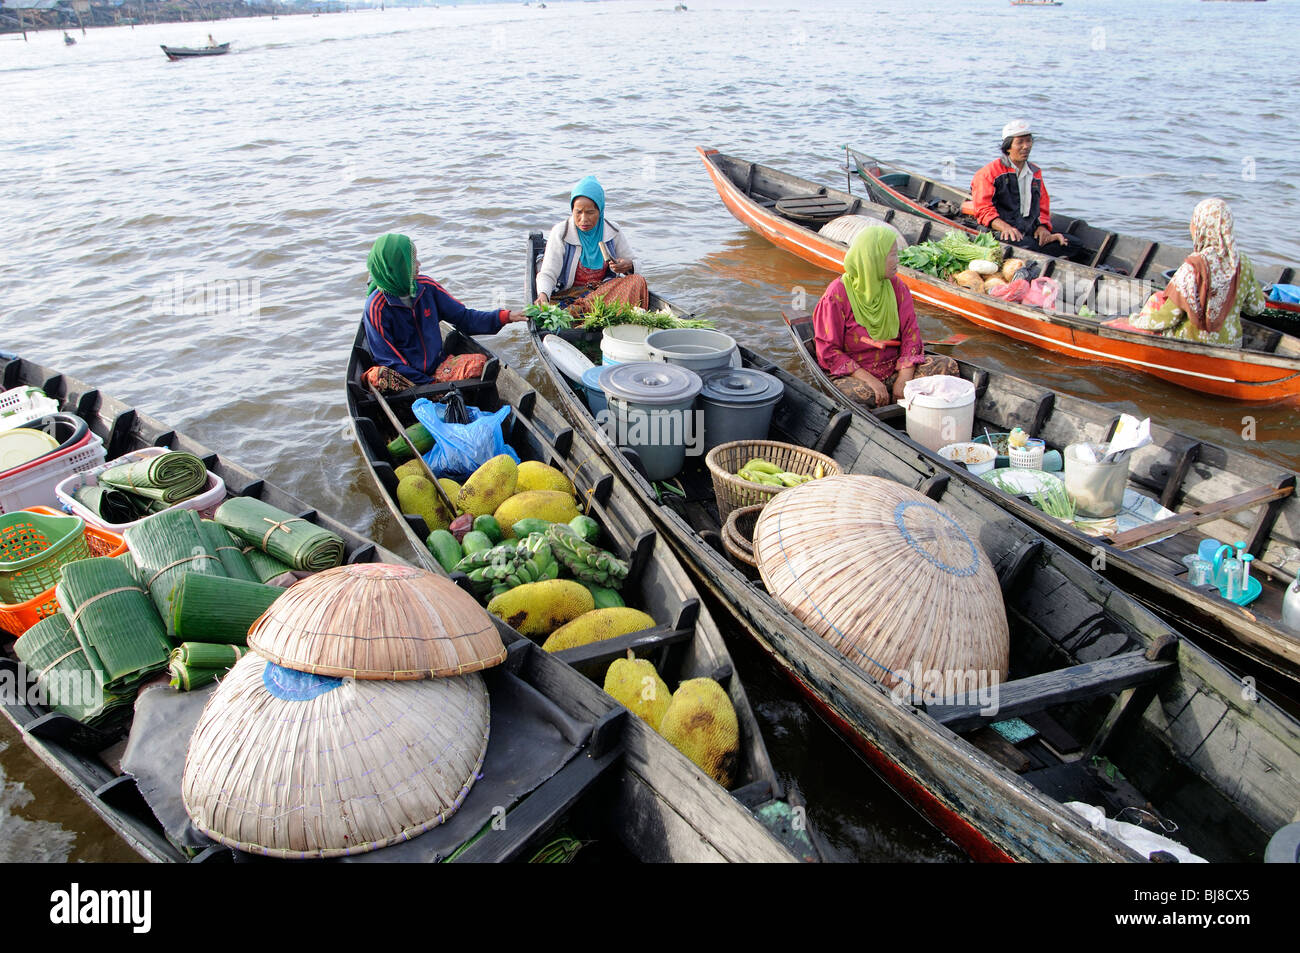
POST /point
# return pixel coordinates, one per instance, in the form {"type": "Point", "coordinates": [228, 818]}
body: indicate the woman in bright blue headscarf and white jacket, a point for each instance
{"type": "Point", "coordinates": [588, 257]}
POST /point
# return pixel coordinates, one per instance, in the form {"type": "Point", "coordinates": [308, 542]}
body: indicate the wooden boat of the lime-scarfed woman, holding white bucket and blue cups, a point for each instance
{"type": "Point", "coordinates": [1214, 492]}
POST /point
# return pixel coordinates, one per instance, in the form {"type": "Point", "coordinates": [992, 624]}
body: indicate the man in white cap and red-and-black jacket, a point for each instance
{"type": "Point", "coordinates": [1009, 196]}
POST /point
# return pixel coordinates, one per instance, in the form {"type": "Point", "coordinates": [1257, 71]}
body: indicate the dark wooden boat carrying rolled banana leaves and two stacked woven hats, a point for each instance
{"type": "Point", "coordinates": [635, 791]}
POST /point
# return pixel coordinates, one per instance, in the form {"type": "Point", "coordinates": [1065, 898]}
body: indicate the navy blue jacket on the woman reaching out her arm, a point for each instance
{"type": "Point", "coordinates": [408, 340]}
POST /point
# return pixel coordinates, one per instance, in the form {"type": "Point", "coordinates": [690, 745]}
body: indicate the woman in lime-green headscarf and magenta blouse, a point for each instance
{"type": "Point", "coordinates": [865, 326]}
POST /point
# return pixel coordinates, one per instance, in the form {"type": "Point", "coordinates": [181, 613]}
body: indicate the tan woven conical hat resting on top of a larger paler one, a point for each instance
{"type": "Point", "coordinates": [374, 621]}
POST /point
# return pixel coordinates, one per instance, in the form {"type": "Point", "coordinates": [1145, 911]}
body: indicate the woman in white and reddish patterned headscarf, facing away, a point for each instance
{"type": "Point", "coordinates": [1211, 291]}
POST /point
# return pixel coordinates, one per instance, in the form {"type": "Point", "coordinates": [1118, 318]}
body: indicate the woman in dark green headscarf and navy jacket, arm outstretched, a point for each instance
{"type": "Point", "coordinates": [404, 311]}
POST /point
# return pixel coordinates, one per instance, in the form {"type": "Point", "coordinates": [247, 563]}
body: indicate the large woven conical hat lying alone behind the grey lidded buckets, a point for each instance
{"type": "Point", "coordinates": [887, 577]}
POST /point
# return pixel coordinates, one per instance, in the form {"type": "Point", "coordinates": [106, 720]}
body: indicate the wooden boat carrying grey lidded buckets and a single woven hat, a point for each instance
{"type": "Point", "coordinates": [1173, 725]}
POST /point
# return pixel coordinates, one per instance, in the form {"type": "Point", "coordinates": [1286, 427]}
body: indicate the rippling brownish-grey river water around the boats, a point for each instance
{"type": "Point", "coordinates": [192, 237]}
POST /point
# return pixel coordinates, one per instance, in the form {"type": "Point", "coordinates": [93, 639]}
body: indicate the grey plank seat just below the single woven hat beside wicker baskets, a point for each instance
{"type": "Point", "coordinates": [1039, 692]}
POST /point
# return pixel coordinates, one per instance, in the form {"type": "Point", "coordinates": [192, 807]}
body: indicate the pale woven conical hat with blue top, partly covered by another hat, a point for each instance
{"type": "Point", "coordinates": [293, 765]}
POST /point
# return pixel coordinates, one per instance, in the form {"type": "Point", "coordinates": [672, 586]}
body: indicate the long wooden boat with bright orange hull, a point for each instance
{"type": "Point", "coordinates": [1266, 369]}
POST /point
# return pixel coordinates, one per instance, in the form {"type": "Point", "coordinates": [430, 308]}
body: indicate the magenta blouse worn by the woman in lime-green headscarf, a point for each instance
{"type": "Point", "coordinates": [843, 345]}
